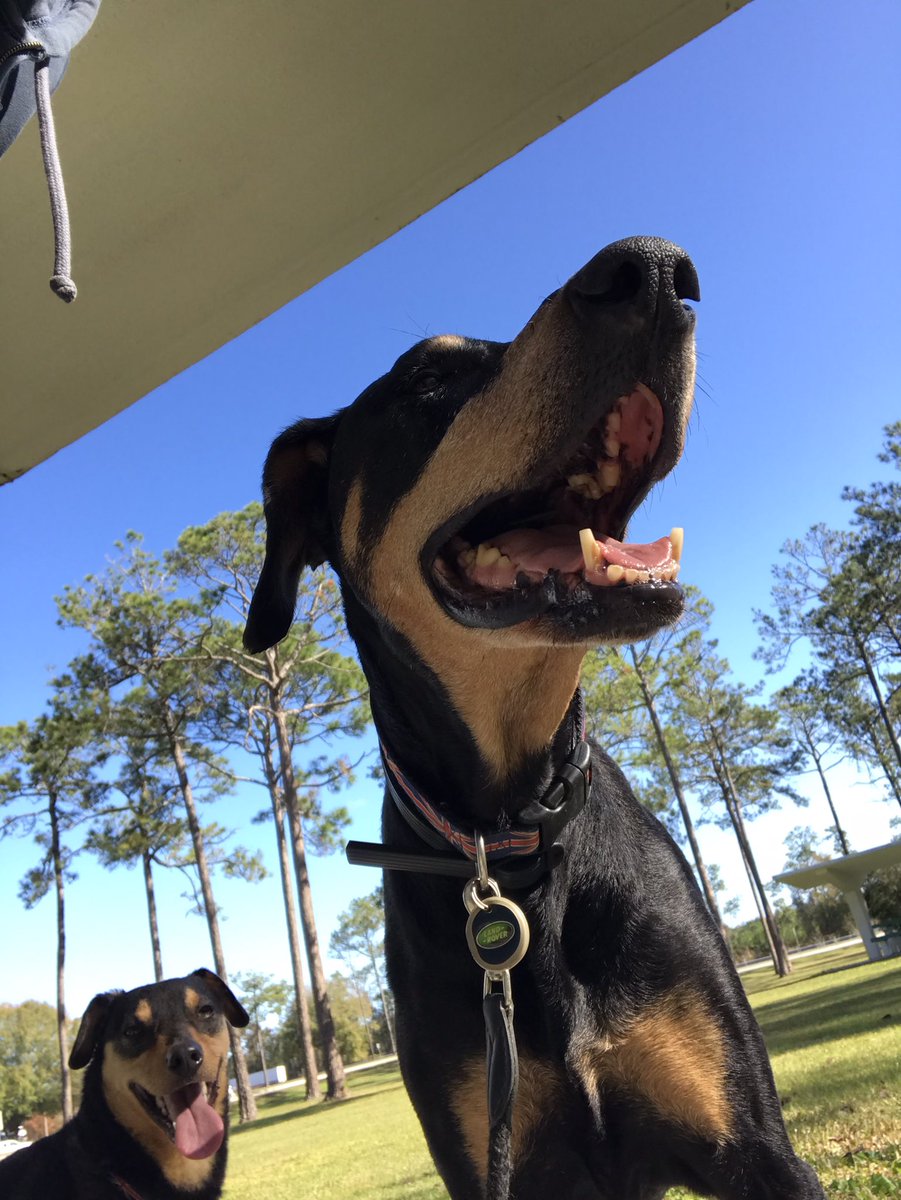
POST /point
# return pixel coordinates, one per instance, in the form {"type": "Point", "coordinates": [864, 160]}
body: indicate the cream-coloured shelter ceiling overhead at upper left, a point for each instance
{"type": "Point", "coordinates": [223, 158]}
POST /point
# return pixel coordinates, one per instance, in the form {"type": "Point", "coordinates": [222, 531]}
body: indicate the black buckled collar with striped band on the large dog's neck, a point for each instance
{"type": "Point", "coordinates": [519, 856]}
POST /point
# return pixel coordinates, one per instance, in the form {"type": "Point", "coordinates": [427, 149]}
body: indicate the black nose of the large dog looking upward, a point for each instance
{"type": "Point", "coordinates": [636, 280]}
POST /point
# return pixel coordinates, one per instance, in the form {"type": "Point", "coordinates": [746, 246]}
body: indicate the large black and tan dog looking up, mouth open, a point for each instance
{"type": "Point", "coordinates": [473, 503]}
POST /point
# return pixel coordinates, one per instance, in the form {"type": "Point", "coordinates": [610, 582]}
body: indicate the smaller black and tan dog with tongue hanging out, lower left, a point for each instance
{"type": "Point", "coordinates": [154, 1117]}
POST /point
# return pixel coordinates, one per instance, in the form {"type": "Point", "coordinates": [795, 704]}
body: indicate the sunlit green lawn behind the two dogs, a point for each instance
{"type": "Point", "coordinates": [834, 1034]}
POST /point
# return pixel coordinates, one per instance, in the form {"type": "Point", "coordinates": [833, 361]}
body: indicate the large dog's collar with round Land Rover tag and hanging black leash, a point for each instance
{"type": "Point", "coordinates": [497, 929]}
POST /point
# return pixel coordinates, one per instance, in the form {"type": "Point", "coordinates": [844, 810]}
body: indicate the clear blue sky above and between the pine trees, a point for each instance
{"type": "Point", "coordinates": [768, 149]}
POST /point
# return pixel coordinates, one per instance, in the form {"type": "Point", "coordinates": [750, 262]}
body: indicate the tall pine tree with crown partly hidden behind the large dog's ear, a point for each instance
{"type": "Point", "coordinates": [301, 694]}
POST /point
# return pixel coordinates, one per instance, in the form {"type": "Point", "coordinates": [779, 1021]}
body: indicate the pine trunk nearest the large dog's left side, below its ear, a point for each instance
{"type": "Point", "coordinates": [334, 1064]}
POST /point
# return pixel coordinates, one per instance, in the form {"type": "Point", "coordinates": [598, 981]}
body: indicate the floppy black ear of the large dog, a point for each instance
{"type": "Point", "coordinates": [295, 501]}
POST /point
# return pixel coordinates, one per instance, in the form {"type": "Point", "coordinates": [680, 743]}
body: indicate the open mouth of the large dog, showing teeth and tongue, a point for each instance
{"type": "Point", "coordinates": [557, 545]}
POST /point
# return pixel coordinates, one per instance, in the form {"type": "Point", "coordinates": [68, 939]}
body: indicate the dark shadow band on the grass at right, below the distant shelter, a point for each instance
{"type": "Point", "coordinates": [858, 1007]}
